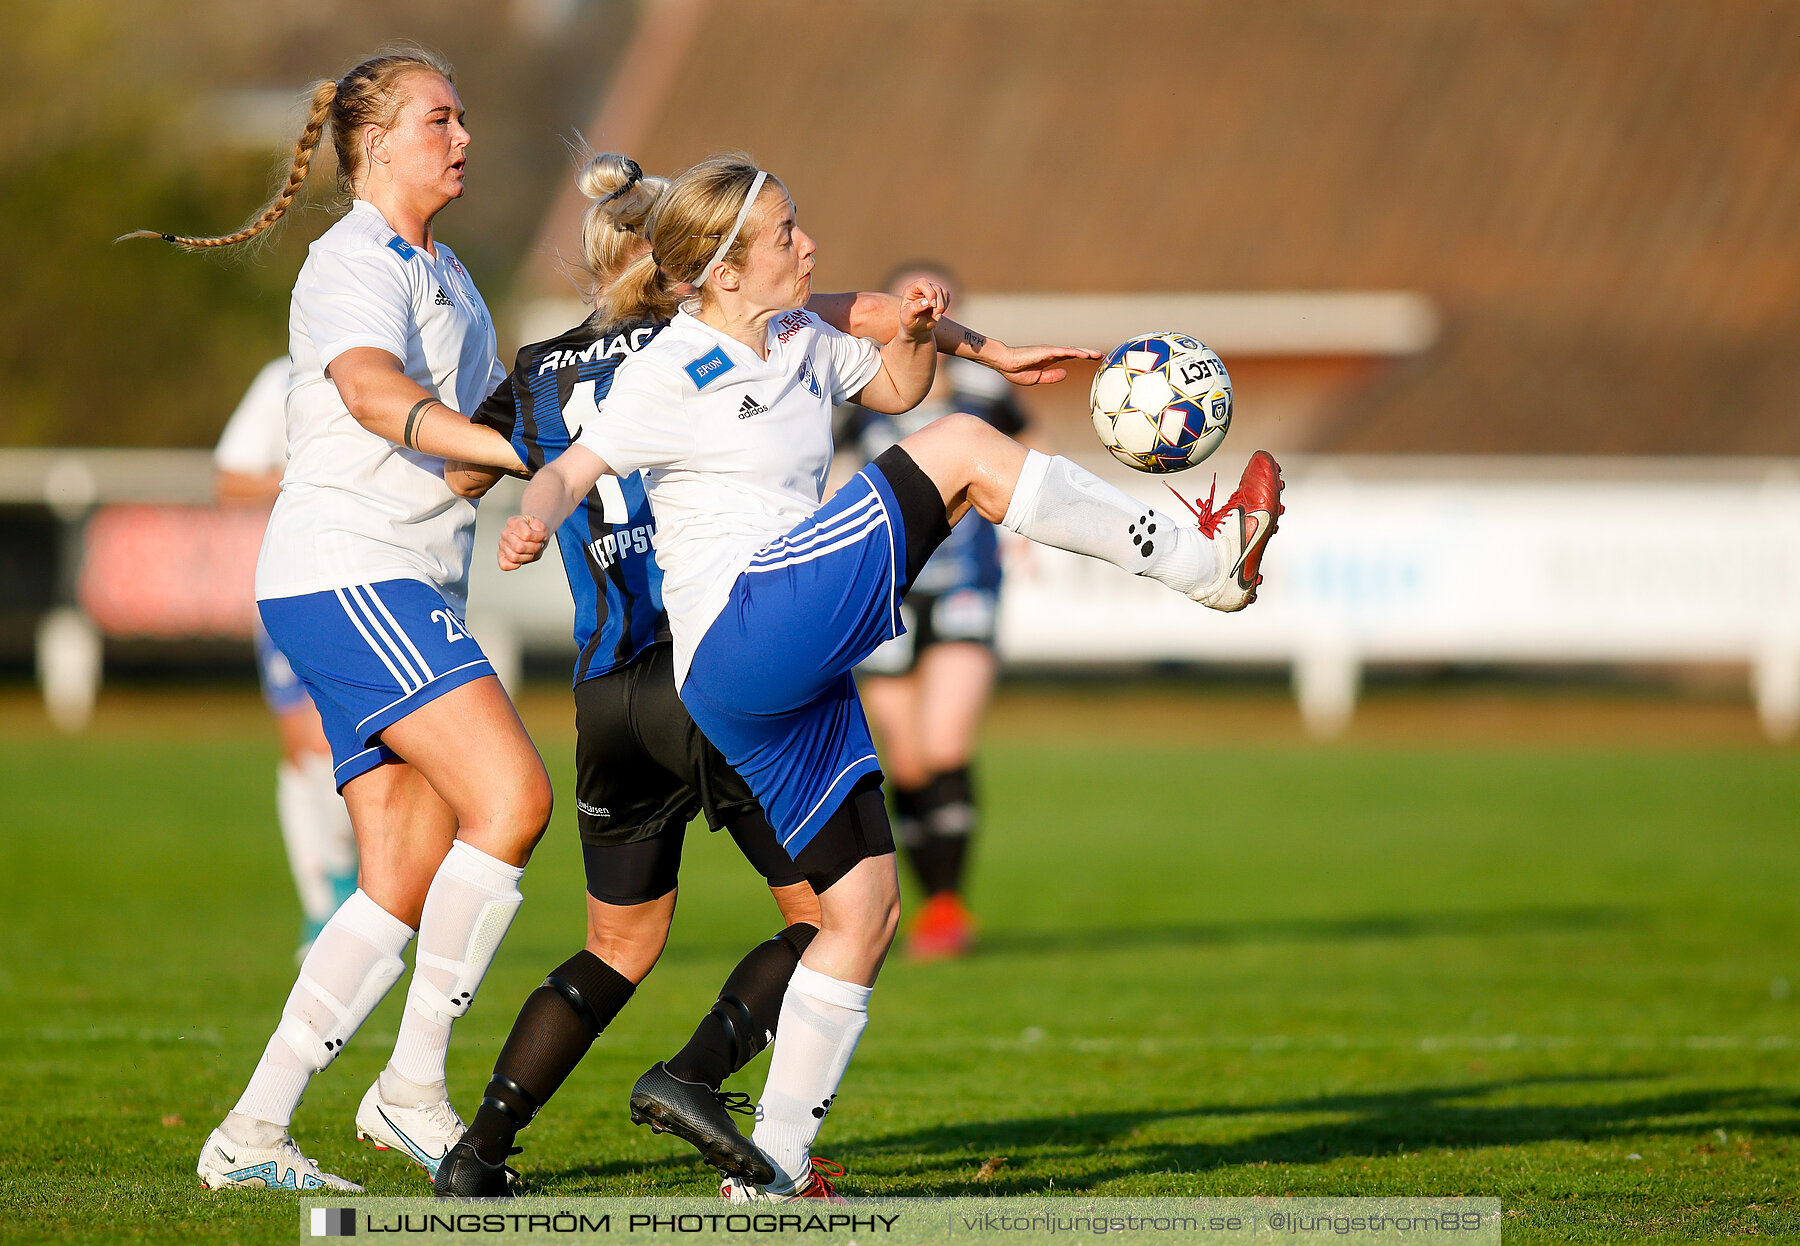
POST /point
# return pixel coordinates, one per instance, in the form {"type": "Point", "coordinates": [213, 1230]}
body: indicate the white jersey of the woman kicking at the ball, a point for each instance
{"type": "Point", "coordinates": [733, 449]}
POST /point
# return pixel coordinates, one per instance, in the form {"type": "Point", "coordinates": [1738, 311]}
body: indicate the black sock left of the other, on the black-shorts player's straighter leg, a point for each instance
{"type": "Point", "coordinates": [553, 1033]}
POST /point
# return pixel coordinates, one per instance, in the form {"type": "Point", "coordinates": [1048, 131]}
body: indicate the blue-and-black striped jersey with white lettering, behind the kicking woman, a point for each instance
{"type": "Point", "coordinates": [606, 543]}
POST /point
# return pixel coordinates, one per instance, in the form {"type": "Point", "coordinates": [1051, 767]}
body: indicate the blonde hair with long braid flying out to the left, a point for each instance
{"type": "Point", "coordinates": [370, 95]}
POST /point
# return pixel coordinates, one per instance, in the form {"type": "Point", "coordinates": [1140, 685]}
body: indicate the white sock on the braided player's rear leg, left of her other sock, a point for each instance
{"type": "Point", "coordinates": [348, 971]}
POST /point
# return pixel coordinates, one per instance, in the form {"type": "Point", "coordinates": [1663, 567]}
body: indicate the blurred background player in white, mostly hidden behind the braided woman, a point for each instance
{"type": "Point", "coordinates": [249, 462]}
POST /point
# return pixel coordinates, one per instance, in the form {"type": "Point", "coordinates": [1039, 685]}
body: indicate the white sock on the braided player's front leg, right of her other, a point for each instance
{"type": "Point", "coordinates": [467, 912]}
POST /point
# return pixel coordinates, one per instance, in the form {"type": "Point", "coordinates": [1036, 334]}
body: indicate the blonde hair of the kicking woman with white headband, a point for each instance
{"type": "Point", "coordinates": [687, 226]}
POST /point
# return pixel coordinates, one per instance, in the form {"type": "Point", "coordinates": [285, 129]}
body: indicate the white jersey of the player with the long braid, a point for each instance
{"type": "Point", "coordinates": [357, 509]}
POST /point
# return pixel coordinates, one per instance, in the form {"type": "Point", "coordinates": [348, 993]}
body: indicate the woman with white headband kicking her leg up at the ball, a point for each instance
{"type": "Point", "coordinates": [775, 593]}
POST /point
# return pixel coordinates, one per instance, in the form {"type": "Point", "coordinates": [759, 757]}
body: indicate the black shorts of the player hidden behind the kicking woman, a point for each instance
{"type": "Point", "coordinates": [643, 772]}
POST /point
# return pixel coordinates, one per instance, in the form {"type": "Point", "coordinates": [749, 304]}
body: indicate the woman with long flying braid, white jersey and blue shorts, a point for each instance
{"type": "Point", "coordinates": [363, 586]}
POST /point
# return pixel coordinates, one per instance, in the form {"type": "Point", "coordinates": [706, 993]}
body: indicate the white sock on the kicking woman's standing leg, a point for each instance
{"type": "Point", "coordinates": [822, 1020]}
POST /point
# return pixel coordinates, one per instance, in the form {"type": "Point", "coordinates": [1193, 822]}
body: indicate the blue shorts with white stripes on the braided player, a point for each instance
{"type": "Point", "coordinates": [370, 656]}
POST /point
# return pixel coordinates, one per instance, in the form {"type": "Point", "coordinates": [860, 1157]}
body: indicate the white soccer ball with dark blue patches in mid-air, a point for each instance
{"type": "Point", "coordinates": [1162, 402]}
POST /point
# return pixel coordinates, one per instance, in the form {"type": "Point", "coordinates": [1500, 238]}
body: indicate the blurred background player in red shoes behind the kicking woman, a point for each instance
{"type": "Point", "coordinates": [928, 689]}
